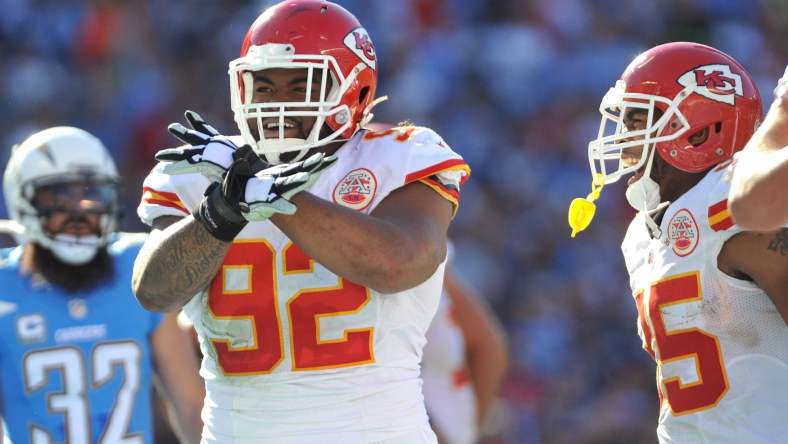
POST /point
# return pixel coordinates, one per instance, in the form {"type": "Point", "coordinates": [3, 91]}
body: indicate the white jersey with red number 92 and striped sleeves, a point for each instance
{"type": "Point", "coordinates": [294, 353]}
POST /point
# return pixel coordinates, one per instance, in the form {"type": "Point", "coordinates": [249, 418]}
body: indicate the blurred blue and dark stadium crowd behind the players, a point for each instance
{"type": "Point", "coordinates": [512, 85]}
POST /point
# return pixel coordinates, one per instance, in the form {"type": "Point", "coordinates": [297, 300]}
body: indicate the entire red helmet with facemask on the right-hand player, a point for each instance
{"type": "Point", "coordinates": [694, 87]}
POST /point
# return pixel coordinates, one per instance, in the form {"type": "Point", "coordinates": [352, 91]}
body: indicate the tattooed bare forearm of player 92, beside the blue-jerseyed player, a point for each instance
{"type": "Point", "coordinates": [182, 263]}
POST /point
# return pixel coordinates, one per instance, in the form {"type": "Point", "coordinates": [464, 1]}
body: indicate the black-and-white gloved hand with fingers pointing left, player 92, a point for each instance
{"type": "Point", "coordinates": [208, 152]}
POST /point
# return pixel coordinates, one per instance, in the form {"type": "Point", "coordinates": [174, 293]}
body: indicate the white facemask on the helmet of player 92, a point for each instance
{"type": "Point", "coordinates": [325, 106]}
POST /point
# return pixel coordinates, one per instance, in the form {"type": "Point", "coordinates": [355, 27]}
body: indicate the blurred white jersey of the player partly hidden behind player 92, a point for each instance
{"type": "Point", "coordinates": [448, 393]}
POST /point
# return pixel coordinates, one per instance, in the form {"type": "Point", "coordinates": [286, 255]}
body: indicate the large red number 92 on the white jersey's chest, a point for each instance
{"type": "Point", "coordinates": [257, 301]}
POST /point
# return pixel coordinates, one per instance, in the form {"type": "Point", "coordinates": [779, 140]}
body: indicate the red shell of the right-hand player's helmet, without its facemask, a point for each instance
{"type": "Point", "coordinates": [720, 96]}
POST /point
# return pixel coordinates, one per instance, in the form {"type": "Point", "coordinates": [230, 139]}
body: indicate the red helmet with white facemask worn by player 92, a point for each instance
{"type": "Point", "coordinates": [326, 40]}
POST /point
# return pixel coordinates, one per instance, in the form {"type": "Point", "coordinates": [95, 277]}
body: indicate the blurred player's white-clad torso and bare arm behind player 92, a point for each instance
{"type": "Point", "coordinates": [463, 364]}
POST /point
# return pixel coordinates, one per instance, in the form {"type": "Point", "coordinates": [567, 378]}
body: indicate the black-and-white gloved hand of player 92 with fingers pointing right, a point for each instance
{"type": "Point", "coordinates": [269, 191]}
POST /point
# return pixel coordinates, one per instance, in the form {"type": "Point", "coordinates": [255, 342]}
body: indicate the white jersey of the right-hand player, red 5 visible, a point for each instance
{"type": "Point", "coordinates": [720, 345]}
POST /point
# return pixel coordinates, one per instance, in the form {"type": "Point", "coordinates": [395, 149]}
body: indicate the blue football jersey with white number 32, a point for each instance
{"type": "Point", "coordinates": [75, 368]}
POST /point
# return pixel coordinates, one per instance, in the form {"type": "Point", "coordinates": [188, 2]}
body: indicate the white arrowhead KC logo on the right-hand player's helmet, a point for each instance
{"type": "Point", "coordinates": [716, 82]}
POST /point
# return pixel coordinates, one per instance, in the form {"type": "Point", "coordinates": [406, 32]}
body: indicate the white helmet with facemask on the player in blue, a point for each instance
{"type": "Point", "coordinates": [43, 176]}
